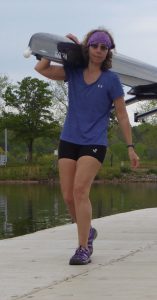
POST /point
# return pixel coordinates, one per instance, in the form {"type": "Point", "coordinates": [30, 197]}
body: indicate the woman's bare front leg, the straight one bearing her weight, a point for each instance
{"type": "Point", "coordinates": [86, 169]}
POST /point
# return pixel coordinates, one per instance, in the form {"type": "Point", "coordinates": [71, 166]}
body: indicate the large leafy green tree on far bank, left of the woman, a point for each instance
{"type": "Point", "coordinates": [28, 112]}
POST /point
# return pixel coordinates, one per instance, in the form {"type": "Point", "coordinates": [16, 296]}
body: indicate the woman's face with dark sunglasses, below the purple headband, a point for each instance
{"type": "Point", "coordinates": [97, 53]}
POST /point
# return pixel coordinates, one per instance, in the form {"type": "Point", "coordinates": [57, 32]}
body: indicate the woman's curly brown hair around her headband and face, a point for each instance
{"type": "Point", "coordinates": [107, 63]}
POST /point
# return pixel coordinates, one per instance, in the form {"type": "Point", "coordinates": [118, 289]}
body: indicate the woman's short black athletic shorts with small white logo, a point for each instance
{"type": "Point", "coordinates": [75, 151]}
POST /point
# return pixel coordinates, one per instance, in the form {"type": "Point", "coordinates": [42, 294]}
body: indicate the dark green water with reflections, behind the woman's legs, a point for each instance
{"type": "Point", "coordinates": [28, 208]}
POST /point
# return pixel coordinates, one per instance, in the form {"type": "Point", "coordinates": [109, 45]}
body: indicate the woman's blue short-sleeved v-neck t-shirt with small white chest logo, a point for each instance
{"type": "Point", "coordinates": [89, 107]}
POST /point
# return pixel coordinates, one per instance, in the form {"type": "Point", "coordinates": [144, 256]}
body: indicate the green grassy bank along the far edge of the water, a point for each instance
{"type": "Point", "coordinates": [48, 172]}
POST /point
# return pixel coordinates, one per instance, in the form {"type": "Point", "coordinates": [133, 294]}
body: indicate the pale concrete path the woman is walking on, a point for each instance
{"type": "Point", "coordinates": [124, 263]}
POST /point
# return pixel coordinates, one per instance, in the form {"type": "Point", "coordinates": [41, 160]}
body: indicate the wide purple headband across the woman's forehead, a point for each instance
{"type": "Point", "coordinates": [100, 37]}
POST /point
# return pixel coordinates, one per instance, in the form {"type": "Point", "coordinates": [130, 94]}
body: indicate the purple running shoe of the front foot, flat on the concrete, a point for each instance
{"type": "Point", "coordinates": [81, 257]}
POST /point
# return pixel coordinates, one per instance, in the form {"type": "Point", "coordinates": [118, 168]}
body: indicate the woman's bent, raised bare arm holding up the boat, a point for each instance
{"type": "Point", "coordinates": [53, 72]}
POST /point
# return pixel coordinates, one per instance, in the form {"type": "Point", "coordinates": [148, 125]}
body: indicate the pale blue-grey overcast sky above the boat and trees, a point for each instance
{"type": "Point", "coordinates": [132, 23]}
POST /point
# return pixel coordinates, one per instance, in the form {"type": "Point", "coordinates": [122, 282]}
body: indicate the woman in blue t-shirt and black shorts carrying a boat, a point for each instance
{"type": "Point", "coordinates": [92, 91]}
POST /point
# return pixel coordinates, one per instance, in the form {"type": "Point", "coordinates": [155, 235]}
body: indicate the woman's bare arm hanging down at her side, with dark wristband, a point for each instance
{"type": "Point", "coordinates": [124, 123]}
